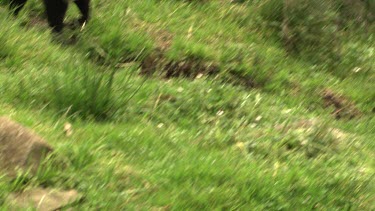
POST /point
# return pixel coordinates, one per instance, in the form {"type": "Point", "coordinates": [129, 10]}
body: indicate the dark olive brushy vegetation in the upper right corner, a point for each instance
{"type": "Point", "coordinates": [315, 30]}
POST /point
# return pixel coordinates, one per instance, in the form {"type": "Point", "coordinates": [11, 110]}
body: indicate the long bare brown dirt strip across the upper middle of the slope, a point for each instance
{"type": "Point", "coordinates": [158, 63]}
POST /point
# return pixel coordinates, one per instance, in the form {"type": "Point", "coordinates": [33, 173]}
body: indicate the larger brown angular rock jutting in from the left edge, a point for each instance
{"type": "Point", "coordinates": [20, 148]}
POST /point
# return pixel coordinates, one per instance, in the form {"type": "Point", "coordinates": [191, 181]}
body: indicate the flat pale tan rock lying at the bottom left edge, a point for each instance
{"type": "Point", "coordinates": [42, 199]}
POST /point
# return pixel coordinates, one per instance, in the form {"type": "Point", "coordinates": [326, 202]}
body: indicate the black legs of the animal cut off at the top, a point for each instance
{"type": "Point", "coordinates": [56, 10]}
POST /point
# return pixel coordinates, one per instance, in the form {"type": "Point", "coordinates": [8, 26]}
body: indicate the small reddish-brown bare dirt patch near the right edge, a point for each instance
{"type": "Point", "coordinates": [343, 107]}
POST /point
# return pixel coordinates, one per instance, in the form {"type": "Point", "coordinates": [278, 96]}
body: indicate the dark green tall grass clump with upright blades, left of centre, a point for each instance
{"type": "Point", "coordinates": [97, 94]}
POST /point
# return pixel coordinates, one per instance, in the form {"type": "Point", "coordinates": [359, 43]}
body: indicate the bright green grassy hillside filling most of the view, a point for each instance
{"type": "Point", "coordinates": [195, 105]}
